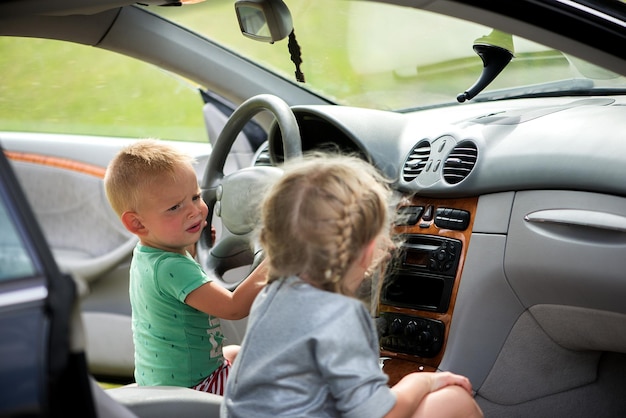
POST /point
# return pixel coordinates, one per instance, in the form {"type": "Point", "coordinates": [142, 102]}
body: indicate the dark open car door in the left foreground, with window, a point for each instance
{"type": "Point", "coordinates": [41, 374]}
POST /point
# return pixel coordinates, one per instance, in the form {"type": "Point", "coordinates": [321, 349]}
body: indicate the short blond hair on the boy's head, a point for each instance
{"type": "Point", "coordinates": [138, 167]}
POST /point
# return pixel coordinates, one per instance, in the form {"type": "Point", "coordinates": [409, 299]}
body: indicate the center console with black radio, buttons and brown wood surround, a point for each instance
{"type": "Point", "coordinates": [419, 288]}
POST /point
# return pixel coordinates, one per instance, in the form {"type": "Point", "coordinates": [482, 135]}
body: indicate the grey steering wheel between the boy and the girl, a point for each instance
{"type": "Point", "coordinates": [236, 198]}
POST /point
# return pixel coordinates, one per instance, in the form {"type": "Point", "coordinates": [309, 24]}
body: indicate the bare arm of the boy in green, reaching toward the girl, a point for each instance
{"type": "Point", "coordinates": [215, 300]}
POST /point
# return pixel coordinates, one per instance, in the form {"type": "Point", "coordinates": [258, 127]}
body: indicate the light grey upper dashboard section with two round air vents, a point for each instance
{"type": "Point", "coordinates": [469, 150]}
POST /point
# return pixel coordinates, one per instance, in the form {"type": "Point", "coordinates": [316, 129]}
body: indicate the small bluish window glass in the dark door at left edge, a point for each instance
{"type": "Point", "coordinates": [14, 260]}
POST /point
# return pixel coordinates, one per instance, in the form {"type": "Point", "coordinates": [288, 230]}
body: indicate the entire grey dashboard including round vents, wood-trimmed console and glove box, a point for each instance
{"type": "Point", "coordinates": [507, 210]}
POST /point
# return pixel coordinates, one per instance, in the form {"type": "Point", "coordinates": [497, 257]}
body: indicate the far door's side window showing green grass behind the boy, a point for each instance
{"type": "Point", "coordinates": [59, 87]}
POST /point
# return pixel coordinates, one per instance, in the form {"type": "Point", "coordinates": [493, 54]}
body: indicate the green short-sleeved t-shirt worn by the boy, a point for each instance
{"type": "Point", "coordinates": [175, 344]}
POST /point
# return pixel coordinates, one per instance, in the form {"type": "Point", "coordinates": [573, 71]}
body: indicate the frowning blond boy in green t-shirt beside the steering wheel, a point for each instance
{"type": "Point", "coordinates": [175, 305]}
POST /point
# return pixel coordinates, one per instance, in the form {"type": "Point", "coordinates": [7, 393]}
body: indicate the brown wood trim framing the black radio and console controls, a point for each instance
{"type": "Point", "coordinates": [401, 364]}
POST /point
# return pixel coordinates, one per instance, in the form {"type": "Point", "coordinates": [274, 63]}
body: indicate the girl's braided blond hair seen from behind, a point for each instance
{"type": "Point", "coordinates": [319, 217]}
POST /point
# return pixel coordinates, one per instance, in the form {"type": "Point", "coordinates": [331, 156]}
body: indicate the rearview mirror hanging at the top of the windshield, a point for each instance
{"type": "Point", "coordinates": [264, 20]}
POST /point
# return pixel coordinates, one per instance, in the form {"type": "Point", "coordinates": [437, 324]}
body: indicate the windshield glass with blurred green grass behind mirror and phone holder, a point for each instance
{"type": "Point", "coordinates": [381, 56]}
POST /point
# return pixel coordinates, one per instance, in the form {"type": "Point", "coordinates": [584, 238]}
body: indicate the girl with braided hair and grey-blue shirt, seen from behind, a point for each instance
{"type": "Point", "coordinates": [311, 348]}
